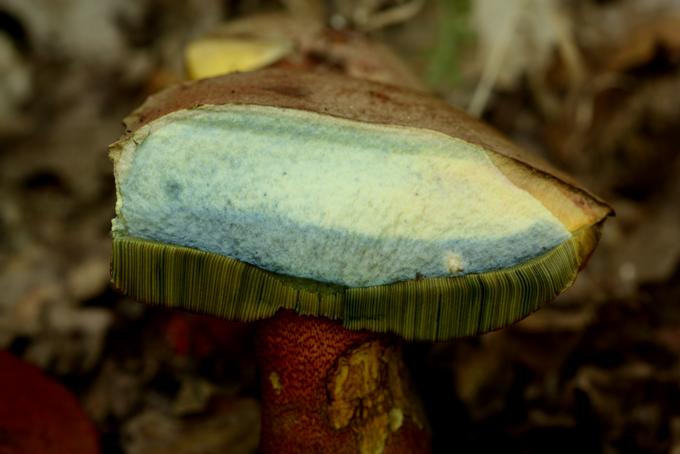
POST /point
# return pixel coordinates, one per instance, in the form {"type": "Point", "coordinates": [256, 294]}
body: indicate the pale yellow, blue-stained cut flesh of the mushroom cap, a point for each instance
{"type": "Point", "coordinates": [307, 195]}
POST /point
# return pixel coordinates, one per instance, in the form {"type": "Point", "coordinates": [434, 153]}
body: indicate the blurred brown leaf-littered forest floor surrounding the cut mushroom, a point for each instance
{"type": "Point", "coordinates": [591, 85]}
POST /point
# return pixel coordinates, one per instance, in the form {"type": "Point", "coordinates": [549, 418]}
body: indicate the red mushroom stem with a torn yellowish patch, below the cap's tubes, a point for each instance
{"type": "Point", "coordinates": [327, 389]}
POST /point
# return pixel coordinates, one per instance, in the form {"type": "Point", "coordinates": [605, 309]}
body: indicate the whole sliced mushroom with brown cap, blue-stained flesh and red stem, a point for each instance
{"type": "Point", "coordinates": [344, 215]}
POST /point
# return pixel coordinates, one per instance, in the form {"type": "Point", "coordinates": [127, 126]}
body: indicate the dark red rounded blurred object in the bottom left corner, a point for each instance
{"type": "Point", "coordinates": [38, 415]}
